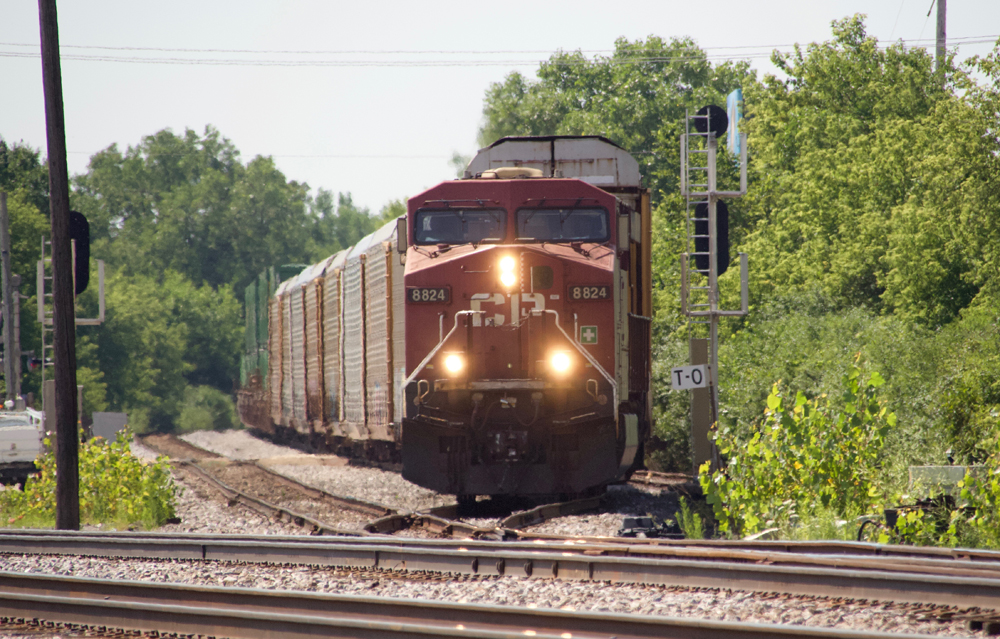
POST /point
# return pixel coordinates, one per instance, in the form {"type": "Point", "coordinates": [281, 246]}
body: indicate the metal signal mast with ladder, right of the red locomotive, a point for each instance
{"type": "Point", "coordinates": [700, 279]}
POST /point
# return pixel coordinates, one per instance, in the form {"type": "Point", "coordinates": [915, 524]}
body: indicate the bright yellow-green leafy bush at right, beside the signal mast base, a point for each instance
{"type": "Point", "coordinates": [805, 455]}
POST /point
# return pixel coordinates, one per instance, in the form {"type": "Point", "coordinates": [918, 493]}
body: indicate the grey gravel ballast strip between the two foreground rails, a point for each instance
{"type": "Point", "coordinates": [509, 591]}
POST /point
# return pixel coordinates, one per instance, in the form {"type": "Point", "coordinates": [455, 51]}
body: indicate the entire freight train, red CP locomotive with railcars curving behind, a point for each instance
{"type": "Point", "coordinates": [495, 339]}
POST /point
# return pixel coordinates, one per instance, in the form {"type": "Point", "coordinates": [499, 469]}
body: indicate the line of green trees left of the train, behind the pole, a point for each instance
{"type": "Point", "coordinates": [183, 224]}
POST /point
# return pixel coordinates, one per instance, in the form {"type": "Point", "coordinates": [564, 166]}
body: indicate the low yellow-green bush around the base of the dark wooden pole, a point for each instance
{"type": "Point", "coordinates": [116, 488]}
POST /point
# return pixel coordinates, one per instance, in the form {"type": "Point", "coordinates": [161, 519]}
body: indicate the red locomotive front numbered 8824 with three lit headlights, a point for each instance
{"type": "Point", "coordinates": [516, 317]}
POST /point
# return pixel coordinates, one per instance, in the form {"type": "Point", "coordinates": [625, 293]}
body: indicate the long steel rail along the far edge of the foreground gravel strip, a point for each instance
{"type": "Point", "coordinates": [897, 583]}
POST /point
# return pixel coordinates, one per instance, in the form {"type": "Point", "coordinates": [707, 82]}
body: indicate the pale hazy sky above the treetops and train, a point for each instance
{"type": "Point", "coordinates": [381, 94]}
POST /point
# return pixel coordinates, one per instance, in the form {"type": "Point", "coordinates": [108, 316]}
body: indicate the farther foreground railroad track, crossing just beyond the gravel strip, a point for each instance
{"type": "Point", "coordinates": [879, 577]}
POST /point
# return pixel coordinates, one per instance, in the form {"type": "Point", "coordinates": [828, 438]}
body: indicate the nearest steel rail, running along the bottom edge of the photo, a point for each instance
{"type": "Point", "coordinates": [244, 613]}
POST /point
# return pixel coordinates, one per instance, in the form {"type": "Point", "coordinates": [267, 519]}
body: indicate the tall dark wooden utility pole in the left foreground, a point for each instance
{"type": "Point", "coordinates": [63, 302]}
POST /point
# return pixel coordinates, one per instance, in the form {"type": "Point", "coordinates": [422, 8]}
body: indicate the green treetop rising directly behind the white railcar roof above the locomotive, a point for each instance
{"type": "Point", "coordinates": [635, 97]}
